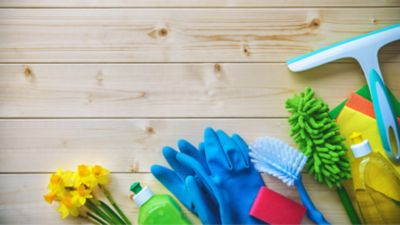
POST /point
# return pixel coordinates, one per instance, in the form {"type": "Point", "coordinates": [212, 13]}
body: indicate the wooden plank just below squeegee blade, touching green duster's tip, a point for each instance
{"type": "Point", "coordinates": [171, 90]}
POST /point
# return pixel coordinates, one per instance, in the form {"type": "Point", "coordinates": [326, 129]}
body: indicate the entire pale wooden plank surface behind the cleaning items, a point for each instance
{"type": "Point", "coordinates": [112, 81]}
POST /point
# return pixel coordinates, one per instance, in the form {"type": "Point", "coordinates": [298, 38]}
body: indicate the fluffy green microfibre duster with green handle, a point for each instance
{"type": "Point", "coordinates": [318, 137]}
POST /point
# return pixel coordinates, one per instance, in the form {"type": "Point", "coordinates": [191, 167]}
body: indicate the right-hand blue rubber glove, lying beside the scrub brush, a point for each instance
{"type": "Point", "coordinates": [230, 176]}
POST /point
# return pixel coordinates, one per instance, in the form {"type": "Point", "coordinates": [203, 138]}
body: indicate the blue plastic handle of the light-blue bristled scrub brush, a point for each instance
{"type": "Point", "coordinates": [313, 213]}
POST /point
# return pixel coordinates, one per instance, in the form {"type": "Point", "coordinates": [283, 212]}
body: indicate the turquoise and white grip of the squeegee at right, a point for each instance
{"type": "Point", "coordinates": [385, 116]}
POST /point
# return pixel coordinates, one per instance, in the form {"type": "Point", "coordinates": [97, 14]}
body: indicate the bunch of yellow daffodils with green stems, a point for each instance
{"type": "Point", "coordinates": [75, 192]}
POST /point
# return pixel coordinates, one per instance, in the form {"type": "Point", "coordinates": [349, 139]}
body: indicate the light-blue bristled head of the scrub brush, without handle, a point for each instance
{"type": "Point", "coordinates": [274, 157]}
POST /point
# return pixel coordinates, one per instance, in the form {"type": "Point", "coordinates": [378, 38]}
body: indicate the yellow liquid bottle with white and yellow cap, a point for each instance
{"type": "Point", "coordinates": [370, 171]}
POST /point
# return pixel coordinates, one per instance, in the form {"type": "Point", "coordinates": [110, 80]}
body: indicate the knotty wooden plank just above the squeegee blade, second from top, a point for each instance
{"type": "Point", "coordinates": [182, 35]}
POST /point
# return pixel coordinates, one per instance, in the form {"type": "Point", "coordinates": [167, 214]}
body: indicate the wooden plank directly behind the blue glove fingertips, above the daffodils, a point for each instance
{"type": "Point", "coordinates": [121, 145]}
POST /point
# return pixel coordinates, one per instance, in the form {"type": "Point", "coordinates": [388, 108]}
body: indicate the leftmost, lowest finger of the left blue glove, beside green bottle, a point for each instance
{"type": "Point", "coordinates": [173, 183]}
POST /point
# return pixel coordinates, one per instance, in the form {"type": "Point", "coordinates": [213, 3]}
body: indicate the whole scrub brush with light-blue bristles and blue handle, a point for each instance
{"type": "Point", "coordinates": [278, 159]}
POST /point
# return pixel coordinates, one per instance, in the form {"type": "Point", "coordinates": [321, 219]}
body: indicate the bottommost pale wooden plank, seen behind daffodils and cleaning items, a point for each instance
{"type": "Point", "coordinates": [21, 198]}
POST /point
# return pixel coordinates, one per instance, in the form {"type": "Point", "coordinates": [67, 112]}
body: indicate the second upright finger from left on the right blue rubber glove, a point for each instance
{"type": "Point", "coordinates": [232, 150]}
